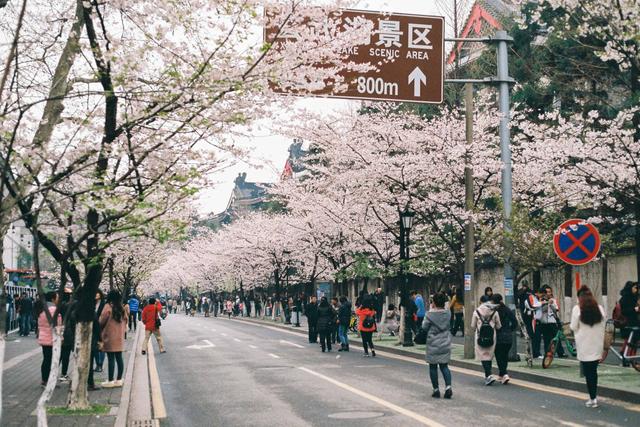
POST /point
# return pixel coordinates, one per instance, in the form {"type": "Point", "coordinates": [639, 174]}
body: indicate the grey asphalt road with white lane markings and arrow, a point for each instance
{"type": "Point", "coordinates": [263, 376]}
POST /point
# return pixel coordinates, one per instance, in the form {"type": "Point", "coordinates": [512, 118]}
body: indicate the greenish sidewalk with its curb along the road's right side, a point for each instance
{"type": "Point", "coordinates": [613, 381]}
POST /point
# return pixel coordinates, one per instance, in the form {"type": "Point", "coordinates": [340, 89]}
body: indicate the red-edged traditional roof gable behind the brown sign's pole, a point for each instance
{"type": "Point", "coordinates": [484, 19]}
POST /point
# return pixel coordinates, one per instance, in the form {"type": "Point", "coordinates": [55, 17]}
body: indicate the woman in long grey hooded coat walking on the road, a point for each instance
{"type": "Point", "coordinates": [438, 345]}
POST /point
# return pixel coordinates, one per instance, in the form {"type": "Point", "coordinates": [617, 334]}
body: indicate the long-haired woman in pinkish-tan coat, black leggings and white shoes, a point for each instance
{"type": "Point", "coordinates": [113, 324]}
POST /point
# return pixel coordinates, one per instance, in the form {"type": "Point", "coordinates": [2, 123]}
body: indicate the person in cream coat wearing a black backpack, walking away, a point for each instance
{"type": "Point", "coordinates": [486, 322]}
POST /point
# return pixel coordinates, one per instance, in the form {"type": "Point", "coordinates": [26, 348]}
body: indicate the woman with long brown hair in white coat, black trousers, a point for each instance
{"type": "Point", "coordinates": [587, 323]}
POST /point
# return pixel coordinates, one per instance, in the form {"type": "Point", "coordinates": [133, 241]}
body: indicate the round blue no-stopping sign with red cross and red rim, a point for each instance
{"type": "Point", "coordinates": [576, 242]}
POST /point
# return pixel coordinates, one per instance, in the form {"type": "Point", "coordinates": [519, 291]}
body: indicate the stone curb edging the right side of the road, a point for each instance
{"type": "Point", "coordinates": [603, 391]}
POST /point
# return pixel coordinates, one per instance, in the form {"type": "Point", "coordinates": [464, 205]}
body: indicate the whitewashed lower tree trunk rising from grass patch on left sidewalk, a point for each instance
{"type": "Point", "coordinates": [78, 397]}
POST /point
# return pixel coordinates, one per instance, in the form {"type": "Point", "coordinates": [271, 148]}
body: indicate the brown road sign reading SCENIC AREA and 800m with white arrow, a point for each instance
{"type": "Point", "coordinates": [407, 50]}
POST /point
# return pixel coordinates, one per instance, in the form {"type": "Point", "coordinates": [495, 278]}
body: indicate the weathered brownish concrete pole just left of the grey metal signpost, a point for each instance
{"type": "Point", "coordinates": [469, 238]}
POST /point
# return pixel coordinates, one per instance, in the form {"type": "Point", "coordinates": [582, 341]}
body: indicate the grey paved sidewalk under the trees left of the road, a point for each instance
{"type": "Point", "coordinates": [22, 388]}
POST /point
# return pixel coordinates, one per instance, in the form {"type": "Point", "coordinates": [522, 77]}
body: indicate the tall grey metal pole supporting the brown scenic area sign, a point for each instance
{"type": "Point", "coordinates": [503, 80]}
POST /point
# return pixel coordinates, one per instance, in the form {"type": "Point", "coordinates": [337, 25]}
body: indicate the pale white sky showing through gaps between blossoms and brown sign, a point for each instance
{"type": "Point", "coordinates": [269, 150]}
